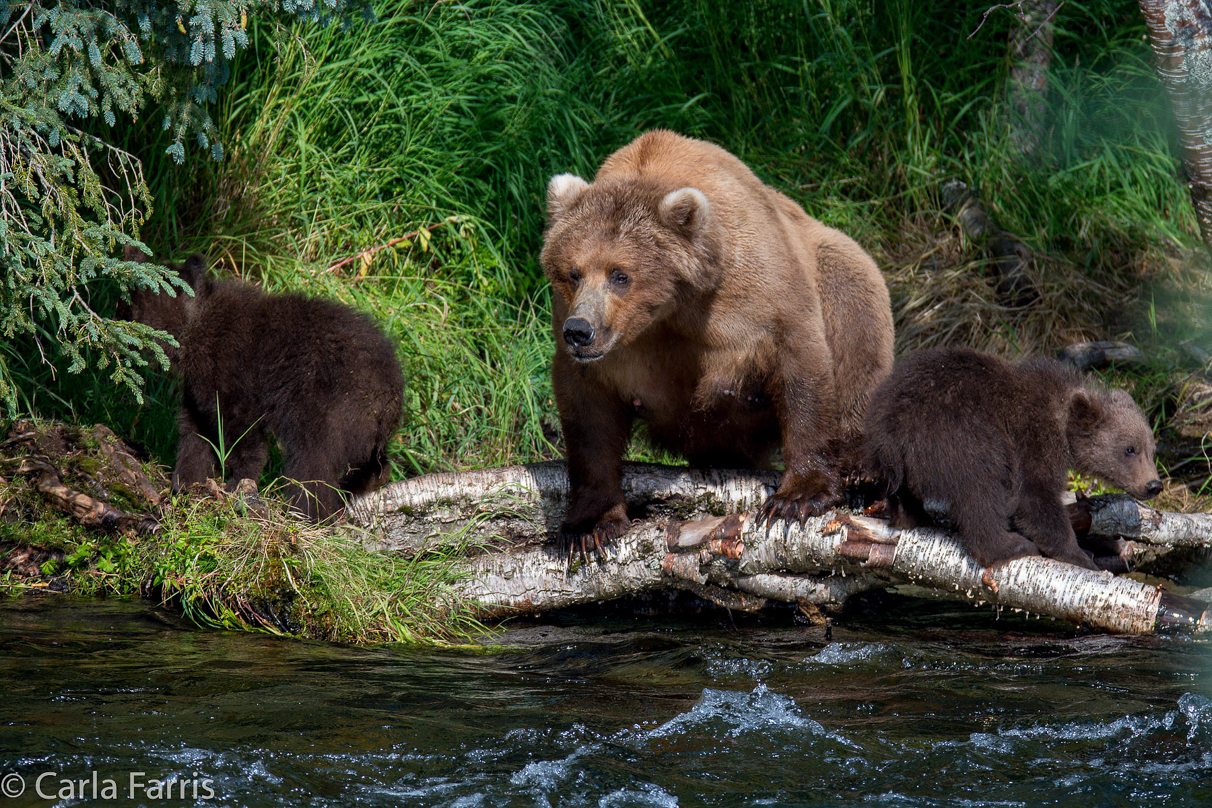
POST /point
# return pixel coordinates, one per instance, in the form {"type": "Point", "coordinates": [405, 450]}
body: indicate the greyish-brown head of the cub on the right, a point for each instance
{"type": "Point", "coordinates": [1111, 439]}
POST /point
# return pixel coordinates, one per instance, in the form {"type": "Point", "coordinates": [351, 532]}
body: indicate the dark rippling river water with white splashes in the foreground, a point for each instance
{"type": "Point", "coordinates": [911, 704]}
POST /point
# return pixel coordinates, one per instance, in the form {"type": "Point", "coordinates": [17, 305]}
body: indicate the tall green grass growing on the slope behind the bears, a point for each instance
{"type": "Point", "coordinates": [443, 123]}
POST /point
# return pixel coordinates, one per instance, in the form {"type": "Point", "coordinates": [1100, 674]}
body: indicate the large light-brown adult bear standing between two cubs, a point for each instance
{"type": "Point", "coordinates": [696, 299]}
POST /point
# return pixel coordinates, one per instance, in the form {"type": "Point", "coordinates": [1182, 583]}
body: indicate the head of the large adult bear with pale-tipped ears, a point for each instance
{"type": "Point", "coordinates": [621, 257]}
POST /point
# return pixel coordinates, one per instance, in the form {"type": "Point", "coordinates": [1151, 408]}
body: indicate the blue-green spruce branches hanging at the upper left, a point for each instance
{"type": "Point", "coordinates": [70, 199]}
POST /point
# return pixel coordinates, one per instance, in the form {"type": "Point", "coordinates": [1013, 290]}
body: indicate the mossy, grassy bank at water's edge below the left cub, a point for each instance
{"type": "Point", "coordinates": [227, 560]}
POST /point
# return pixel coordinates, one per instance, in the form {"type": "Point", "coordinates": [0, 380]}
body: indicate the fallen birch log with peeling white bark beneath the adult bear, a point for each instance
{"type": "Point", "coordinates": [696, 535]}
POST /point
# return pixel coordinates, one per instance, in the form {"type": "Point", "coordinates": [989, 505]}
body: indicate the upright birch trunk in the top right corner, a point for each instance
{"type": "Point", "coordinates": [1180, 33]}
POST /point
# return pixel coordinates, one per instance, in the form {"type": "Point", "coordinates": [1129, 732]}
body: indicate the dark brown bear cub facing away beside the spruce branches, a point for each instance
{"type": "Point", "coordinates": [318, 376]}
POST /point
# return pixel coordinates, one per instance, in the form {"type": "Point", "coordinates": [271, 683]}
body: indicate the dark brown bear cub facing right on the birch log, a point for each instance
{"type": "Point", "coordinates": [990, 444]}
